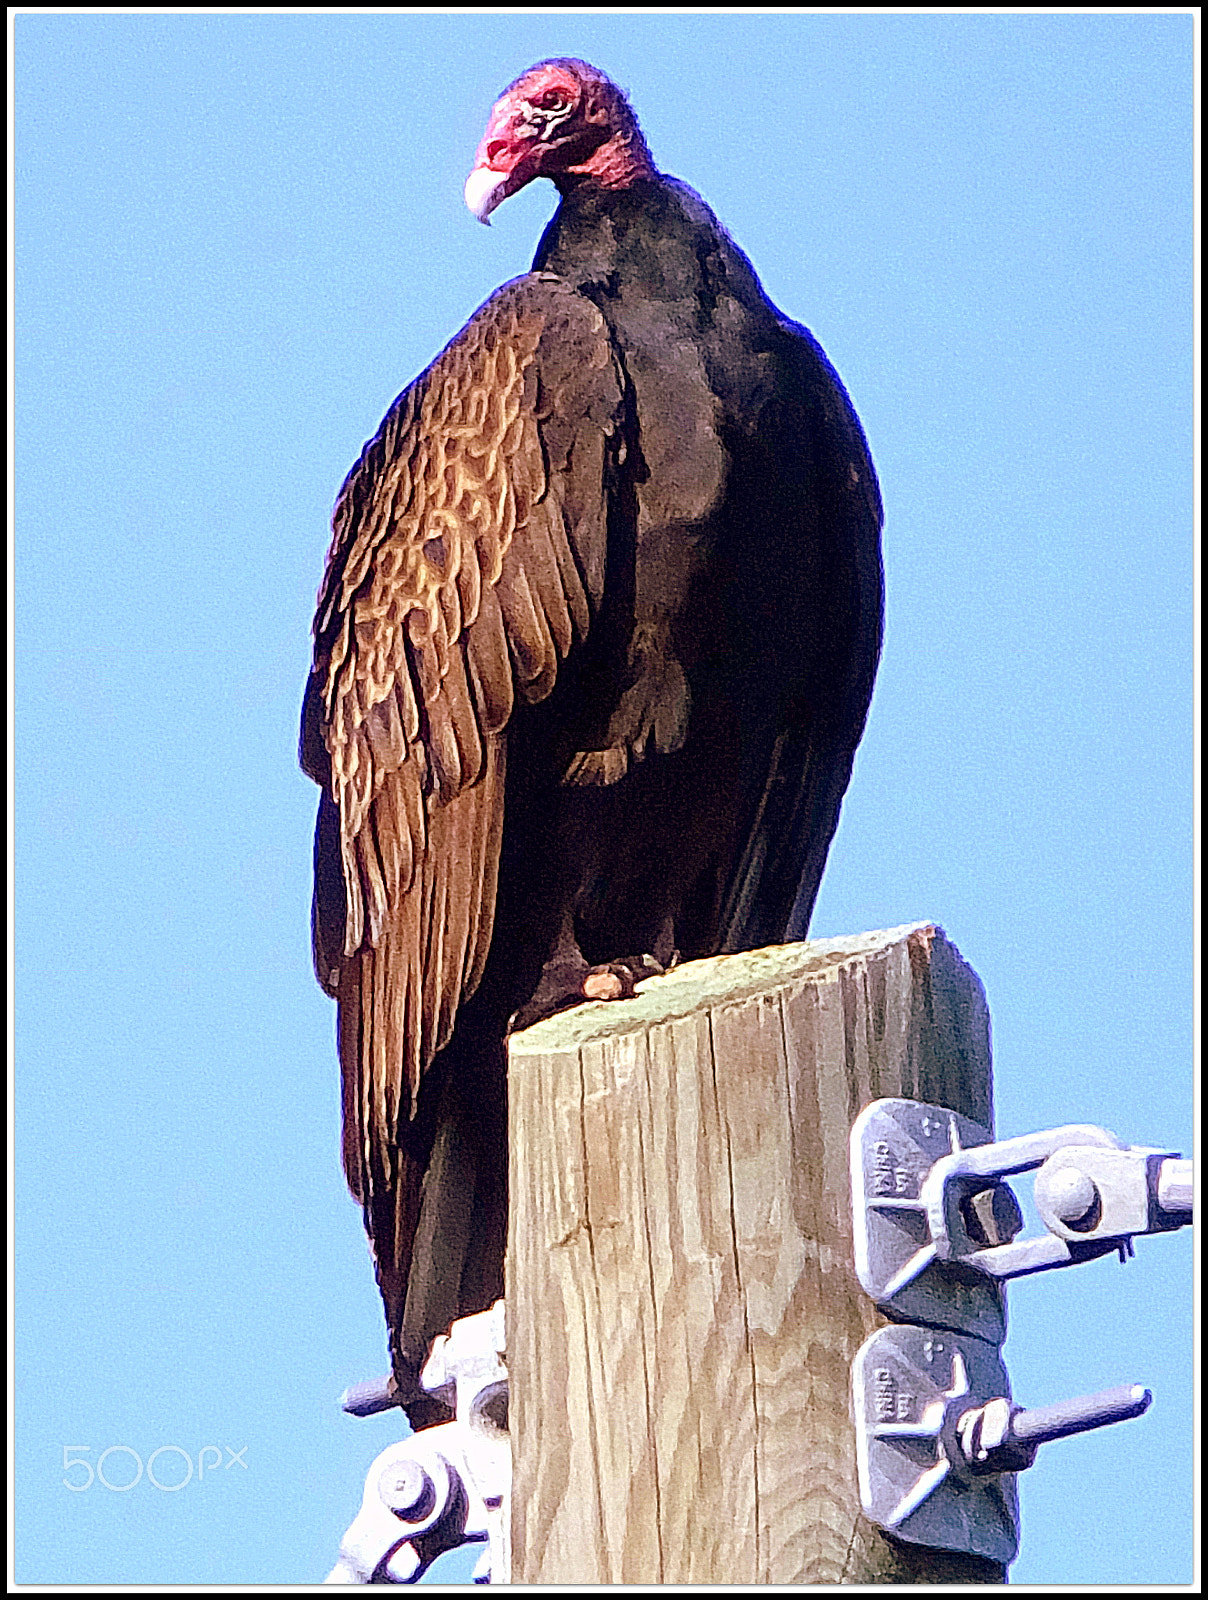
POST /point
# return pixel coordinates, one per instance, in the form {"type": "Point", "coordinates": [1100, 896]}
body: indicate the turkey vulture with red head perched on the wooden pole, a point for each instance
{"type": "Point", "coordinates": [593, 655]}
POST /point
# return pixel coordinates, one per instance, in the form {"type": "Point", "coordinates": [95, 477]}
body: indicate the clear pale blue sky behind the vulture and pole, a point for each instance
{"type": "Point", "coordinates": [238, 239]}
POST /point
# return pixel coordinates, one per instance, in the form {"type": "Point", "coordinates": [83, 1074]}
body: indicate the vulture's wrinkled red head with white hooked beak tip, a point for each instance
{"type": "Point", "coordinates": [564, 121]}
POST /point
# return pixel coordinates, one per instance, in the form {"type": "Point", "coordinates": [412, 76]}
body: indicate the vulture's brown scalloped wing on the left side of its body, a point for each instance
{"type": "Point", "coordinates": [468, 553]}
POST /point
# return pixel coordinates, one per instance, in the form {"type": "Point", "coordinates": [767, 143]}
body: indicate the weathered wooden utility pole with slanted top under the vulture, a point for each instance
{"type": "Point", "coordinates": [682, 1305]}
